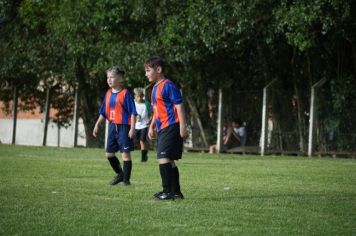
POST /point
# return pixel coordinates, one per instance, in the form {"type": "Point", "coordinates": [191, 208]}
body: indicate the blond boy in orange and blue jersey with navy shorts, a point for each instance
{"type": "Point", "coordinates": [119, 108]}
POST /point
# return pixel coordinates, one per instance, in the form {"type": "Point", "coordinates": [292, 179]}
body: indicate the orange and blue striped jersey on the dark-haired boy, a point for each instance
{"type": "Point", "coordinates": [164, 96]}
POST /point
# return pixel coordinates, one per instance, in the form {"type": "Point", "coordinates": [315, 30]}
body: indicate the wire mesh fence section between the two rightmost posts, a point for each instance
{"type": "Point", "coordinates": [287, 120]}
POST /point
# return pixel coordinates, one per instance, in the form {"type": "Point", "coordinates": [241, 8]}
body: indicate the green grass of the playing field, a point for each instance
{"type": "Point", "coordinates": [64, 191]}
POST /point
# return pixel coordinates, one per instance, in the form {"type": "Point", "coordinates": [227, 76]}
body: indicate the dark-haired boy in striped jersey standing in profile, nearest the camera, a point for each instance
{"type": "Point", "coordinates": [169, 122]}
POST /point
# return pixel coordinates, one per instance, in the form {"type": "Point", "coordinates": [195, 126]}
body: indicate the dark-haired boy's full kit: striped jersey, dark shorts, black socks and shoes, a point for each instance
{"type": "Point", "coordinates": [165, 96]}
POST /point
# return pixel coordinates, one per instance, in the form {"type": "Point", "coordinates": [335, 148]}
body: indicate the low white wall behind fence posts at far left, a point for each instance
{"type": "Point", "coordinates": [30, 132]}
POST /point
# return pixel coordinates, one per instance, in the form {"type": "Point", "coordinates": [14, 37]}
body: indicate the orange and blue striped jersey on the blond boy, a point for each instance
{"type": "Point", "coordinates": [118, 107]}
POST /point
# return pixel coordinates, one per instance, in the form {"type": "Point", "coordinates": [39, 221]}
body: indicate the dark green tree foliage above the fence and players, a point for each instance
{"type": "Point", "coordinates": [234, 45]}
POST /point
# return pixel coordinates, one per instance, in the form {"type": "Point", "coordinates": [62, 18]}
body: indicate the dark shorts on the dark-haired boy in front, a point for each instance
{"type": "Point", "coordinates": [169, 143]}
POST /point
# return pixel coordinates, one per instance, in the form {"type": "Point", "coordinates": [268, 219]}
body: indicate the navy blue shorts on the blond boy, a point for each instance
{"type": "Point", "coordinates": [118, 139]}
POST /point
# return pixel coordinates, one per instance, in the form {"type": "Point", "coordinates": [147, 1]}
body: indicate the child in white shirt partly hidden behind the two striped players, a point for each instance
{"type": "Point", "coordinates": [144, 113]}
